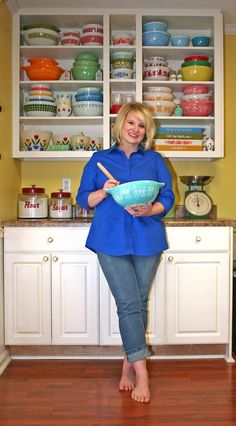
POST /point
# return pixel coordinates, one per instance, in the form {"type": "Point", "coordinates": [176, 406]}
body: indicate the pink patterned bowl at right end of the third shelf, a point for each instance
{"type": "Point", "coordinates": [197, 107]}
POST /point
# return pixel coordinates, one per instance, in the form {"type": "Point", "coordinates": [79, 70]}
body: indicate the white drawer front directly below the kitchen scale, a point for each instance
{"type": "Point", "coordinates": [198, 238]}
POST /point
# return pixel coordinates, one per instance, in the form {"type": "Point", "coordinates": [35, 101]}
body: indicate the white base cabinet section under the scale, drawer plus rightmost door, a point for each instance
{"type": "Point", "coordinates": [198, 285]}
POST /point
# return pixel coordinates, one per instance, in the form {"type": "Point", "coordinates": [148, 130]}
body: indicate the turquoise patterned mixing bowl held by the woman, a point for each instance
{"type": "Point", "coordinates": [135, 193]}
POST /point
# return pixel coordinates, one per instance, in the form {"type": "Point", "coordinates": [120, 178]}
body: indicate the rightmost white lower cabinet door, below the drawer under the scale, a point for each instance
{"type": "Point", "coordinates": [197, 297]}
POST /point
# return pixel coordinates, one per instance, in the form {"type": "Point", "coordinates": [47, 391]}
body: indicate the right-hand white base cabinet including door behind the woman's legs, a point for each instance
{"type": "Point", "coordinates": [192, 293]}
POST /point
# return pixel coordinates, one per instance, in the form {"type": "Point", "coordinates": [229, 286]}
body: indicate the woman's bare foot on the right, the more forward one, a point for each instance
{"type": "Point", "coordinates": [141, 392]}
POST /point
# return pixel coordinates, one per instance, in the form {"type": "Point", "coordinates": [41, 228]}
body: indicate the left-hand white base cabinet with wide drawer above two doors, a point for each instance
{"type": "Point", "coordinates": [50, 290]}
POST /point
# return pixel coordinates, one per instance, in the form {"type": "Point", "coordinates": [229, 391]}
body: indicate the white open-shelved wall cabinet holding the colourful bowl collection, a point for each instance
{"type": "Point", "coordinates": [180, 21]}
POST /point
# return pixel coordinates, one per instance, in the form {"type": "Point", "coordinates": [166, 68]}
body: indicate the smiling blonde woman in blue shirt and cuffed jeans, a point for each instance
{"type": "Point", "coordinates": [129, 241]}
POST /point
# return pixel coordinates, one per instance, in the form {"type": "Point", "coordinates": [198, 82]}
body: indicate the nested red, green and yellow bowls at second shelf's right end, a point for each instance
{"type": "Point", "coordinates": [196, 68]}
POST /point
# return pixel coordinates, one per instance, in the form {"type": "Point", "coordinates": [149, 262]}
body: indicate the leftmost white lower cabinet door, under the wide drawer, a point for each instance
{"type": "Point", "coordinates": [27, 299]}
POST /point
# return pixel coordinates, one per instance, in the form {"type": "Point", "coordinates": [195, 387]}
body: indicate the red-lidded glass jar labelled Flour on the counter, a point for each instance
{"type": "Point", "coordinates": [33, 203]}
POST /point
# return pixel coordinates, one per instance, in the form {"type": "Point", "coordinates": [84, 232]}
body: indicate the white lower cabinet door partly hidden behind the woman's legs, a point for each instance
{"type": "Point", "coordinates": [109, 328]}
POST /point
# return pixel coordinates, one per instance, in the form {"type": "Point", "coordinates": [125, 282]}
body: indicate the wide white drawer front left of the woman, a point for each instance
{"type": "Point", "coordinates": [45, 238]}
